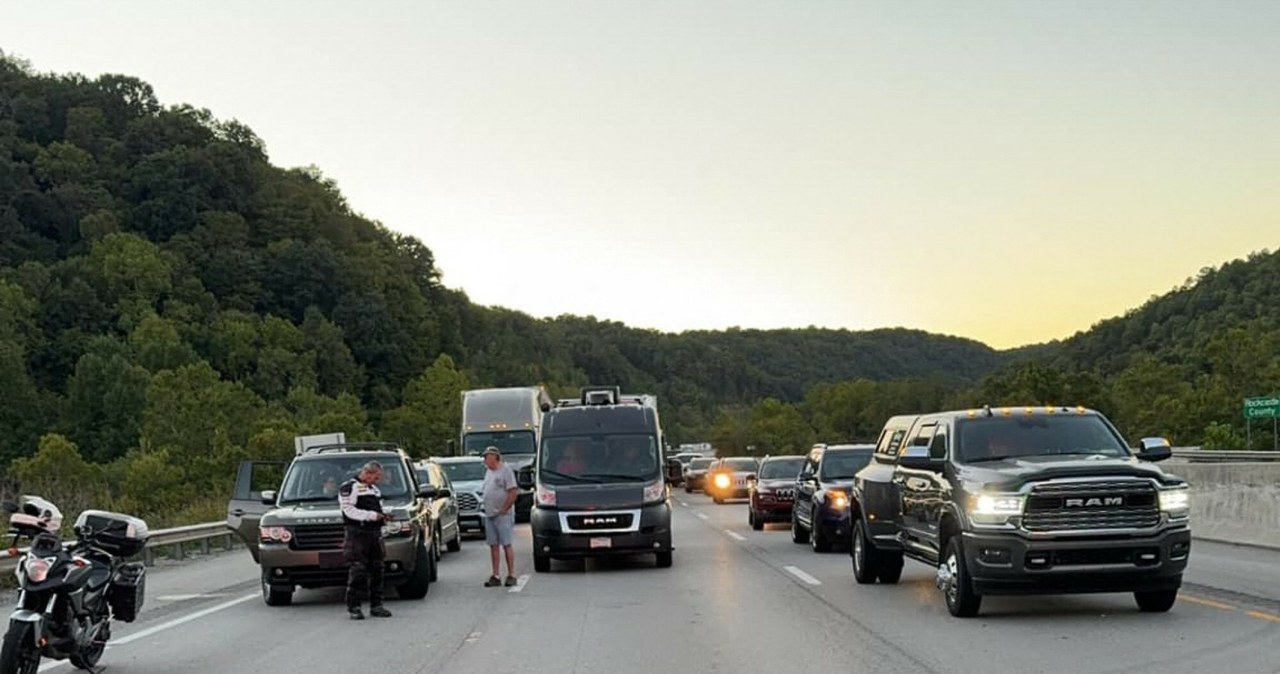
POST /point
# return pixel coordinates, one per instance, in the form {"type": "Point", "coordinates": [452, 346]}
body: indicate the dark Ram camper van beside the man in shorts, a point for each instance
{"type": "Point", "coordinates": [601, 484]}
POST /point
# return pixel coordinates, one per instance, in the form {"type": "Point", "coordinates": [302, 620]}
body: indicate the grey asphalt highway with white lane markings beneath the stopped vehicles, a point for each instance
{"type": "Point", "coordinates": [737, 600]}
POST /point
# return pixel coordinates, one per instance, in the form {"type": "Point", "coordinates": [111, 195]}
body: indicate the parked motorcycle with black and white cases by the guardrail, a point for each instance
{"type": "Point", "coordinates": [71, 593]}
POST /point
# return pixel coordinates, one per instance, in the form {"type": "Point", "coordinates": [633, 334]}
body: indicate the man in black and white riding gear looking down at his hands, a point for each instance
{"type": "Point", "coordinates": [363, 542]}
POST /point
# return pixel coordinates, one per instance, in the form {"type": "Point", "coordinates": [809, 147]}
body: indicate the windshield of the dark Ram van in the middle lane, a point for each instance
{"type": "Point", "coordinates": [609, 458]}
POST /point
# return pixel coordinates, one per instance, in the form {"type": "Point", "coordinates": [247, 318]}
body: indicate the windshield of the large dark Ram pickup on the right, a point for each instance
{"type": "Point", "coordinates": [1003, 438]}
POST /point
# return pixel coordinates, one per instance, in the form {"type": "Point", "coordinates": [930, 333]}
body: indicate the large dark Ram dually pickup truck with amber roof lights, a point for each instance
{"type": "Point", "coordinates": [1022, 501]}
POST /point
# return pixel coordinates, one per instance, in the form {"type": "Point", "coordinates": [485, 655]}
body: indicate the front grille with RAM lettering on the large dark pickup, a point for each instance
{"type": "Point", "coordinates": [1117, 505]}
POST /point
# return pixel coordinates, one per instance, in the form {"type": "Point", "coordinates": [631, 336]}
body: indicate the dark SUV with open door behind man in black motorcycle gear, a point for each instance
{"type": "Point", "coordinates": [294, 528]}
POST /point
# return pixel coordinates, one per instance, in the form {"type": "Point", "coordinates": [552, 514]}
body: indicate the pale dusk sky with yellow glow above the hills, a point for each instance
{"type": "Point", "coordinates": [1007, 172]}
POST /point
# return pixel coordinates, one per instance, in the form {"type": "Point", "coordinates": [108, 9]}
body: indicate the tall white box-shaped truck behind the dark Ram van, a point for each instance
{"type": "Point", "coordinates": [510, 420]}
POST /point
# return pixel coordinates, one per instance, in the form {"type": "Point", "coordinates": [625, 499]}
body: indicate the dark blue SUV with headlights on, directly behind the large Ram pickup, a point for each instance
{"type": "Point", "coordinates": [821, 513]}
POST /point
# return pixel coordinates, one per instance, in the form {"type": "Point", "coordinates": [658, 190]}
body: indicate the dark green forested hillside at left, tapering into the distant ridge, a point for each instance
{"type": "Point", "coordinates": [172, 304]}
